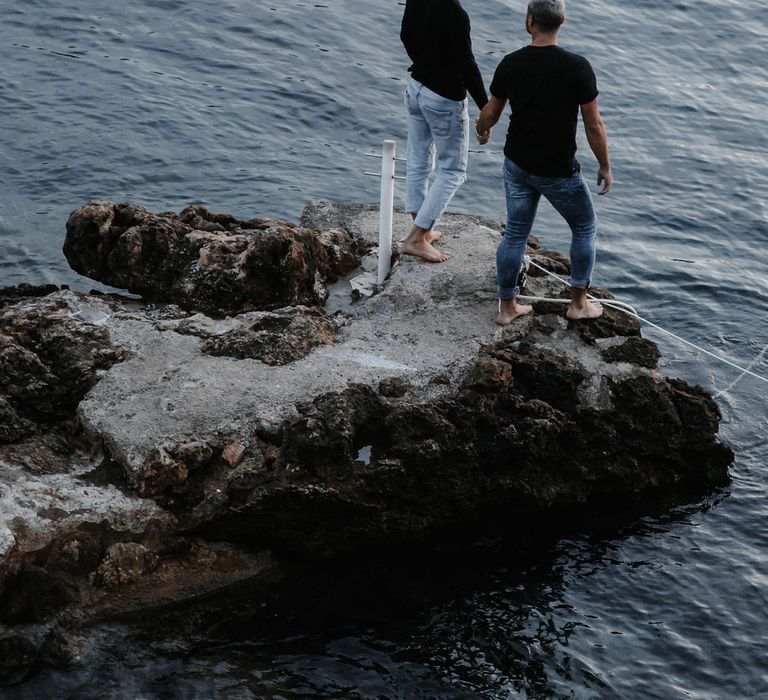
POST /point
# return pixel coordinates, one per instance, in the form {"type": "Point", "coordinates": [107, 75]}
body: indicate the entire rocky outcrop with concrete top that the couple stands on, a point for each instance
{"type": "Point", "coordinates": [155, 454]}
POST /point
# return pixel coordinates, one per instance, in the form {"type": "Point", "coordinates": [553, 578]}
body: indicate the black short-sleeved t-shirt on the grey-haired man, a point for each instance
{"type": "Point", "coordinates": [545, 86]}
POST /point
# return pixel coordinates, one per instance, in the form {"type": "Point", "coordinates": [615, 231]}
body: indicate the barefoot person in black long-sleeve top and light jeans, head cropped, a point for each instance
{"type": "Point", "coordinates": [436, 35]}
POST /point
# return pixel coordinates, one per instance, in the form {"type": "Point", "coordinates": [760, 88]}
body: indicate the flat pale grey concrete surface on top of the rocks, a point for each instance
{"type": "Point", "coordinates": [429, 319]}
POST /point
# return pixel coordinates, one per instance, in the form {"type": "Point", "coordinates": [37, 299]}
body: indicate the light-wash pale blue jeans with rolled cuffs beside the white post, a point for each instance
{"type": "Point", "coordinates": [439, 126]}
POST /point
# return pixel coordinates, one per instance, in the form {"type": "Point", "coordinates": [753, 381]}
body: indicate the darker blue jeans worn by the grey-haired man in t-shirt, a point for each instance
{"type": "Point", "coordinates": [573, 201]}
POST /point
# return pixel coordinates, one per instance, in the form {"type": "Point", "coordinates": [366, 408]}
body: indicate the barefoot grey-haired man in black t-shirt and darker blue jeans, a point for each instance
{"type": "Point", "coordinates": [546, 86]}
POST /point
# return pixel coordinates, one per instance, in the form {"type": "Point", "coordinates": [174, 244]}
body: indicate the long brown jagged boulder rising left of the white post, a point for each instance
{"type": "Point", "coordinates": [210, 262]}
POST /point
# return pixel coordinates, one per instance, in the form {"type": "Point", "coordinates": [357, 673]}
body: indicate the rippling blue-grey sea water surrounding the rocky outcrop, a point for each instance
{"type": "Point", "coordinates": [256, 107]}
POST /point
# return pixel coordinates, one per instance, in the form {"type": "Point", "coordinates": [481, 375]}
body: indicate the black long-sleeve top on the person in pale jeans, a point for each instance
{"type": "Point", "coordinates": [435, 34]}
